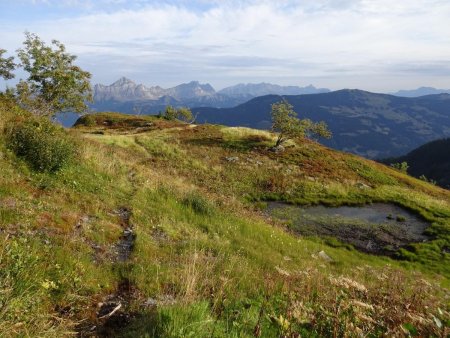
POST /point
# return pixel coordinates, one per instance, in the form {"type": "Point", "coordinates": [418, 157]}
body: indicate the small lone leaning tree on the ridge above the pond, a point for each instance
{"type": "Point", "coordinates": [288, 126]}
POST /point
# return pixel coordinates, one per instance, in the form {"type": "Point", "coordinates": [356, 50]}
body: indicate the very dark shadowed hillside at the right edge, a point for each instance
{"type": "Point", "coordinates": [431, 160]}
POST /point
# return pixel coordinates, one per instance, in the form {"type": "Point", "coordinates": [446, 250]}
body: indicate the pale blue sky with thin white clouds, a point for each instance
{"type": "Point", "coordinates": [376, 45]}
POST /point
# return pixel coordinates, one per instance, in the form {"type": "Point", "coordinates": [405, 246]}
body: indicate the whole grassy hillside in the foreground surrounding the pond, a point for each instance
{"type": "Point", "coordinates": [206, 260]}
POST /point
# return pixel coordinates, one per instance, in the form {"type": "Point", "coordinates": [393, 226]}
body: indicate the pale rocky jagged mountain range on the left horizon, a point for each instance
{"type": "Point", "coordinates": [126, 96]}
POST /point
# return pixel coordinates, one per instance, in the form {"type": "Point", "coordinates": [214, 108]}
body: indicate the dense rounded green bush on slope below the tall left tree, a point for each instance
{"type": "Point", "coordinates": [42, 144]}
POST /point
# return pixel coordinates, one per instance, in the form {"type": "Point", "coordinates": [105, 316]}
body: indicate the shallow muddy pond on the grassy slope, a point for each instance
{"type": "Point", "coordinates": [378, 228]}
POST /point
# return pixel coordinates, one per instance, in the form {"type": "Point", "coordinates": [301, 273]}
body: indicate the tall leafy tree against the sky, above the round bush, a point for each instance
{"type": "Point", "coordinates": [54, 83]}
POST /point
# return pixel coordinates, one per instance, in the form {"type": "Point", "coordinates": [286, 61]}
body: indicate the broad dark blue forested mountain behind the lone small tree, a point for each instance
{"type": "Point", "coordinates": [363, 123]}
